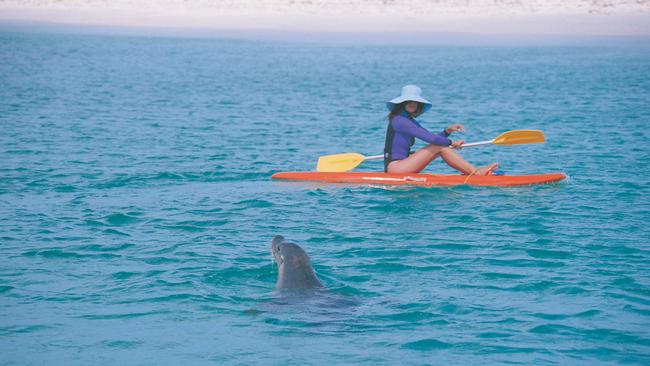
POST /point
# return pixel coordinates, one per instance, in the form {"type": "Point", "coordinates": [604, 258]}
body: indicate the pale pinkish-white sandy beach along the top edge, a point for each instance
{"type": "Point", "coordinates": [518, 17]}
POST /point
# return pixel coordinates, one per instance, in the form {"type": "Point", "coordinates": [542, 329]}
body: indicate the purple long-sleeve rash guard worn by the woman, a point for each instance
{"type": "Point", "coordinates": [405, 131]}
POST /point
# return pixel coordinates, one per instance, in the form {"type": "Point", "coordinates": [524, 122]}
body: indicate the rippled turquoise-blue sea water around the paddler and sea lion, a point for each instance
{"type": "Point", "coordinates": [137, 207]}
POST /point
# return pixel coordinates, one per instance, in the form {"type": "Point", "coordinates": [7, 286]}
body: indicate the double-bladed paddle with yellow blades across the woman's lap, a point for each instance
{"type": "Point", "coordinates": [349, 161]}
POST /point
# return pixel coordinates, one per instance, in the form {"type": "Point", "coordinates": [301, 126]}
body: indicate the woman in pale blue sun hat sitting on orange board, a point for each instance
{"type": "Point", "coordinates": [403, 129]}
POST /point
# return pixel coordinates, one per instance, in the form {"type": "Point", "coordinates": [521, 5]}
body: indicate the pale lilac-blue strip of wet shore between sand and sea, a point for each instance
{"type": "Point", "coordinates": [421, 38]}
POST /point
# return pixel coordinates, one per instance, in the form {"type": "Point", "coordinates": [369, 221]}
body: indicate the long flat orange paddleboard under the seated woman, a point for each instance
{"type": "Point", "coordinates": [426, 180]}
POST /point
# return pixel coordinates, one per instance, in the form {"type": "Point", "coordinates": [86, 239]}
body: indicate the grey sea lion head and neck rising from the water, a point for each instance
{"type": "Point", "coordinates": [294, 267]}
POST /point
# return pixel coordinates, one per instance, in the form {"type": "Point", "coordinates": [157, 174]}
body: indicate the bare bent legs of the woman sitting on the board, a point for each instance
{"type": "Point", "coordinates": [421, 158]}
